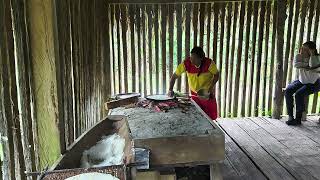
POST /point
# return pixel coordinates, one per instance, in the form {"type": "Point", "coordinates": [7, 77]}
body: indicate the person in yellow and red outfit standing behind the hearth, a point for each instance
{"type": "Point", "coordinates": [202, 76]}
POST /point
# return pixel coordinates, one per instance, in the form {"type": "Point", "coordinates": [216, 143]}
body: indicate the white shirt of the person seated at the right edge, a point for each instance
{"type": "Point", "coordinates": [307, 76]}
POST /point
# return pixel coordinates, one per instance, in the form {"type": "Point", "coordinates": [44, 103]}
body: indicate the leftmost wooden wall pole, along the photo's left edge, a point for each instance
{"type": "Point", "coordinates": [7, 167]}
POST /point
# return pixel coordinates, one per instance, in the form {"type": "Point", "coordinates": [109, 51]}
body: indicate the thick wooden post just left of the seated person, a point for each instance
{"type": "Point", "coordinates": [281, 17]}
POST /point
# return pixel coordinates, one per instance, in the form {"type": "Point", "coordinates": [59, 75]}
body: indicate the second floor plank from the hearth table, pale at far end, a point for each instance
{"type": "Point", "coordinates": [271, 167]}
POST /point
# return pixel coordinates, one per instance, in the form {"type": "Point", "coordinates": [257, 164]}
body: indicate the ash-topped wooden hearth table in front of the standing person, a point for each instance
{"type": "Point", "coordinates": [176, 138]}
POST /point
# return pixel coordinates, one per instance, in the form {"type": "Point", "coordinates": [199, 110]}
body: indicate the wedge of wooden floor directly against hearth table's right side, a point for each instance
{"type": "Point", "coordinates": [237, 165]}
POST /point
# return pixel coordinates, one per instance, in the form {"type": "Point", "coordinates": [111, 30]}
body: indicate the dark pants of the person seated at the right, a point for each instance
{"type": "Point", "coordinates": [300, 90]}
